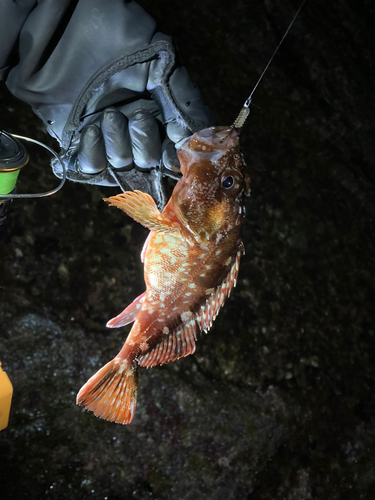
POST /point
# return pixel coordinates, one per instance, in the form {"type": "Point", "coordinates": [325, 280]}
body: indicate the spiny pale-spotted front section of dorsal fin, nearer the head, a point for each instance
{"type": "Point", "coordinates": [211, 308]}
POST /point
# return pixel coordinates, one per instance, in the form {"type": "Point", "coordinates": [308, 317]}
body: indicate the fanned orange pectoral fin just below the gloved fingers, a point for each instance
{"type": "Point", "coordinates": [142, 208]}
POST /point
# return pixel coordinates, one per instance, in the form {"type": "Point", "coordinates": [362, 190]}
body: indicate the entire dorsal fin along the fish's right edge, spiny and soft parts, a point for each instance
{"type": "Point", "coordinates": [181, 341]}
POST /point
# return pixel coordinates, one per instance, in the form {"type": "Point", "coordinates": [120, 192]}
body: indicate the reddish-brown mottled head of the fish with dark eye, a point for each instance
{"type": "Point", "coordinates": [209, 200]}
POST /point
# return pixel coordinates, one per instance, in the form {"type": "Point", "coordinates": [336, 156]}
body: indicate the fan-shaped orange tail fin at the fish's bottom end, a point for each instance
{"type": "Point", "coordinates": [112, 392]}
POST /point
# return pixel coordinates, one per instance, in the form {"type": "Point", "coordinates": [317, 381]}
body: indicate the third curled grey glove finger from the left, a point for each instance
{"type": "Point", "coordinates": [145, 139]}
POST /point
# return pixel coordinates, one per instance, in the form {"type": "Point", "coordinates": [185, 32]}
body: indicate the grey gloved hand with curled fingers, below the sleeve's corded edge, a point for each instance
{"type": "Point", "coordinates": [126, 141]}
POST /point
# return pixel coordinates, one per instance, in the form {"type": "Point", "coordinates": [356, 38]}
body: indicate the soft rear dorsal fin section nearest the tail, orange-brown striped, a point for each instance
{"type": "Point", "coordinates": [175, 345]}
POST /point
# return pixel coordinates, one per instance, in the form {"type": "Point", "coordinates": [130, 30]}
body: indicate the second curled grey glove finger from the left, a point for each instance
{"type": "Point", "coordinates": [117, 139]}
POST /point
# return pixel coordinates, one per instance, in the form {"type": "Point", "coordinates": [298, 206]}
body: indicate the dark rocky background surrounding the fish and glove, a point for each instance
{"type": "Point", "coordinates": [278, 401]}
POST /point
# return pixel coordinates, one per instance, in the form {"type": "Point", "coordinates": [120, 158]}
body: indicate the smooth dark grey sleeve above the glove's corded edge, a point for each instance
{"type": "Point", "coordinates": [62, 46]}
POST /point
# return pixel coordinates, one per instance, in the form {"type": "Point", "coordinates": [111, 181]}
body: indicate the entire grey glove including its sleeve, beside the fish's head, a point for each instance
{"type": "Point", "coordinates": [105, 85]}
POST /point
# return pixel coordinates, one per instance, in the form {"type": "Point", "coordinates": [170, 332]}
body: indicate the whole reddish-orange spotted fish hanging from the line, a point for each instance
{"type": "Point", "coordinates": [191, 260]}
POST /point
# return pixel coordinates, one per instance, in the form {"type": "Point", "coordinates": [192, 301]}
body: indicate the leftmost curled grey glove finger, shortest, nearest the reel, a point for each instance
{"type": "Point", "coordinates": [91, 152]}
